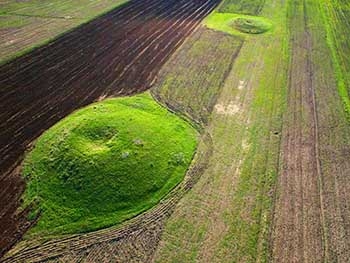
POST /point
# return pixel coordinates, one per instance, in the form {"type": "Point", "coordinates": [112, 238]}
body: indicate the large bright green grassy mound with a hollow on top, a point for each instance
{"type": "Point", "coordinates": [106, 163]}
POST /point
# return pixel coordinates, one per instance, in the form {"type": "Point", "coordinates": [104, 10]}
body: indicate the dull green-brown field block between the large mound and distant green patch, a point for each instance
{"type": "Point", "coordinates": [192, 79]}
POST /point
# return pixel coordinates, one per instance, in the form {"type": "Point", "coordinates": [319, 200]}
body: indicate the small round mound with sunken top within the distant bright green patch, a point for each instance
{"type": "Point", "coordinates": [251, 25]}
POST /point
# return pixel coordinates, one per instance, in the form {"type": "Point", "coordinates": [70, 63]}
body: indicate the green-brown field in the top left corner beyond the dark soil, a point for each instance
{"type": "Point", "coordinates": [36, 23]}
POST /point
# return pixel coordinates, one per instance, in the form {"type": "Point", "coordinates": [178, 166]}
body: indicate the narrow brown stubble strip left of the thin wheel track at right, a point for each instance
{"type": "Point", "coordinates": [298, 230]}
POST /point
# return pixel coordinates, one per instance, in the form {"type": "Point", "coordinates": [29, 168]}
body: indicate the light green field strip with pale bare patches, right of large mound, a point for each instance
{"type": "Point", "coordinates": [226, 217]}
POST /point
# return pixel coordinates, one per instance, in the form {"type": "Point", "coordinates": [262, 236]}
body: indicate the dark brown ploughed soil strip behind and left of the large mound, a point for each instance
{"type": "Point", "coordinates": [117, 54]}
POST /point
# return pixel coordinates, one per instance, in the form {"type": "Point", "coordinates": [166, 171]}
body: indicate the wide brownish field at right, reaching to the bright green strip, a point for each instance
{"type": "Point", "coordinates": [311, 211]}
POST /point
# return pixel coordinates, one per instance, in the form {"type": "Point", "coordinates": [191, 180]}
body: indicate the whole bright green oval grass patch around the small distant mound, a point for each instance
{"type": "Point", "coordinates": [237, 24]}
